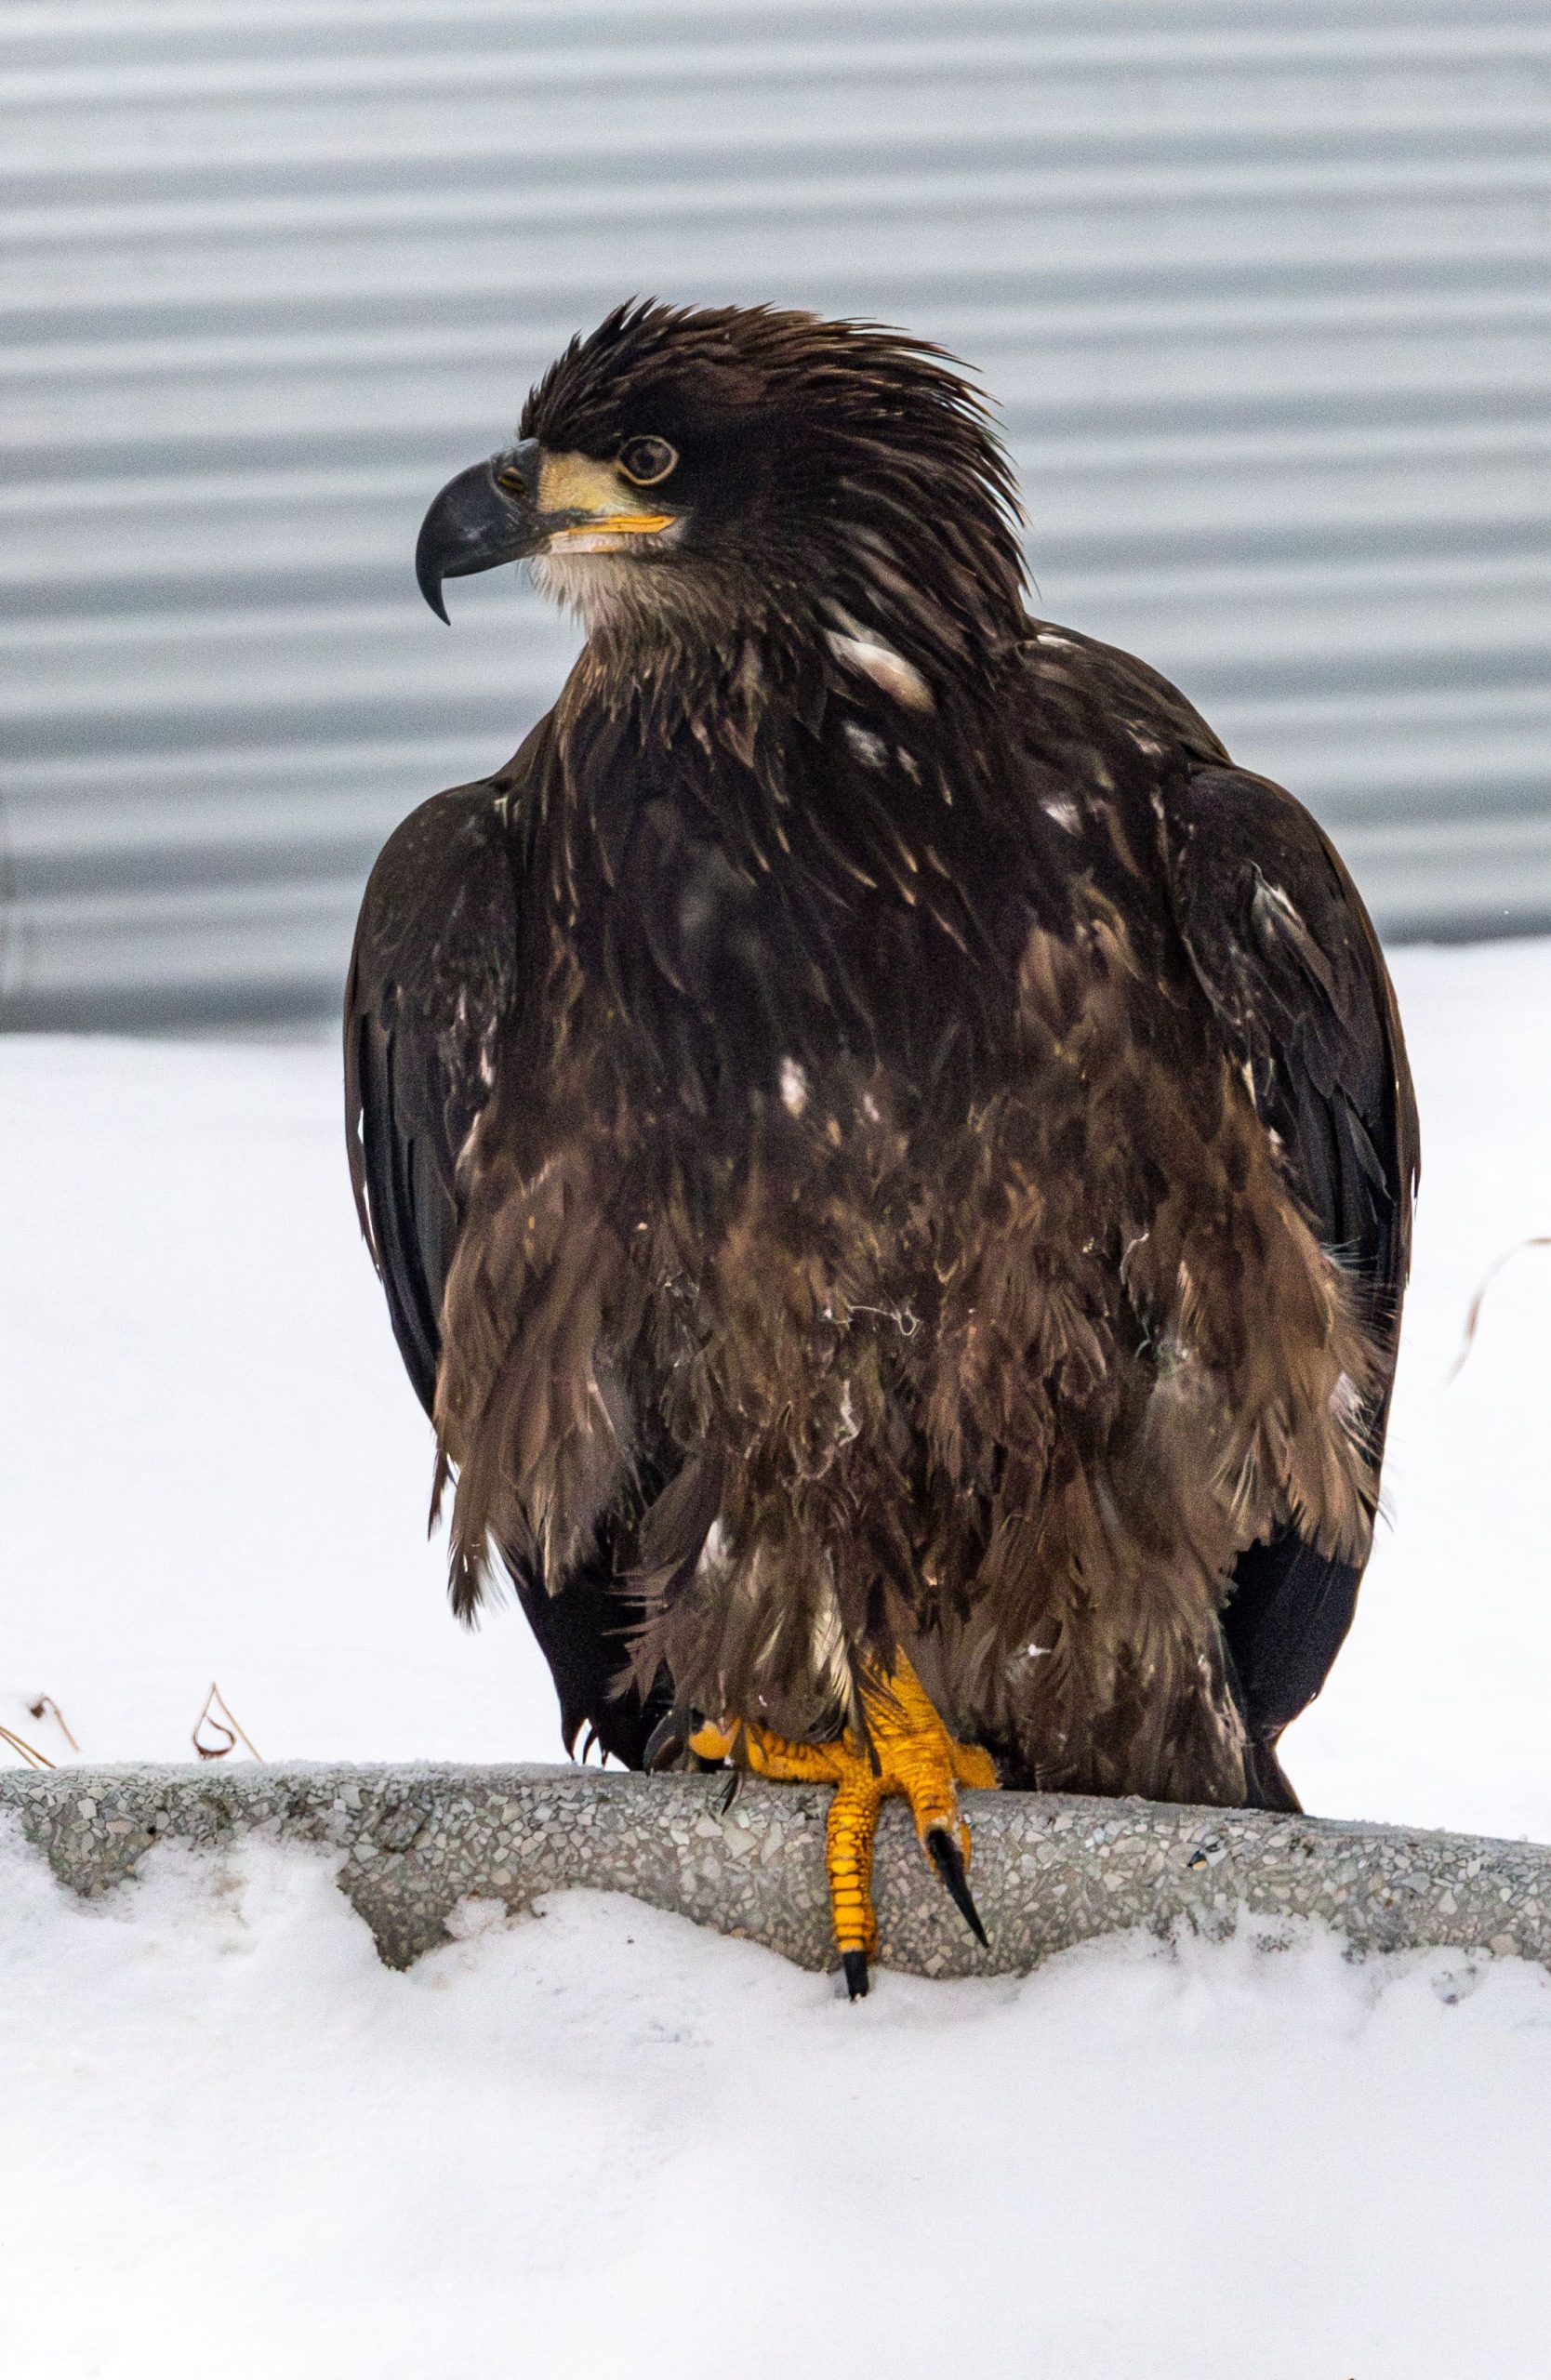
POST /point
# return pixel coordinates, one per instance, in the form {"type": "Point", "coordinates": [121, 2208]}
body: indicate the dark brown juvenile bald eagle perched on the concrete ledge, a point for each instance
{"type": "Point", "coordinates": [888, 1155]}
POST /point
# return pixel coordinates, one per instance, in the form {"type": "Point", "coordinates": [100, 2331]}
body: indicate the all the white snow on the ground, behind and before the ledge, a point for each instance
{"type": "Point", "coordinates": [598, 2138]}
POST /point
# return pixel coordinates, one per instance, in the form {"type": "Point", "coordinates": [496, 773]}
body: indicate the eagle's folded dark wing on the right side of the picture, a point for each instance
{"type": "Point", "coordinates": [1288, 958]}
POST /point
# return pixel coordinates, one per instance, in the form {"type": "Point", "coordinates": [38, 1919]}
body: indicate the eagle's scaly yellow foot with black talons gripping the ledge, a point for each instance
{"type": "Point", "coordinates": [910, 1755]}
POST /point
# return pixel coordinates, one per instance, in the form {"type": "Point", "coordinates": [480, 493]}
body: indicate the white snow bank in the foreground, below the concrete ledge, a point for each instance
{"type": "Point", "coordinates": [601, 2141]}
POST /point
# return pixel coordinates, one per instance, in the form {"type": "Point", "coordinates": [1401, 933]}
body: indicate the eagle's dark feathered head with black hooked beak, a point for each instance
{"type": "Point", "coordinates": [701, 477]}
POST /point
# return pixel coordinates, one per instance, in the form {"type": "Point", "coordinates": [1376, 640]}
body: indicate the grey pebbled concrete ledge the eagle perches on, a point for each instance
{"type": "Point", "coordinates": [1050, 1869]}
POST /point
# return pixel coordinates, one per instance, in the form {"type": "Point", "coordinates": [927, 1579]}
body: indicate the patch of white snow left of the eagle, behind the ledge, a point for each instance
{"type": "Point", "coordinates": [211, 1460]}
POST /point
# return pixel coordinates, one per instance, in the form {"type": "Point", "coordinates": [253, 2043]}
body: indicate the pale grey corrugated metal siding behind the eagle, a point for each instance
{"type": "Point", "coordinates": [1262, 292]}
